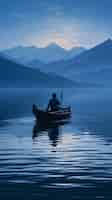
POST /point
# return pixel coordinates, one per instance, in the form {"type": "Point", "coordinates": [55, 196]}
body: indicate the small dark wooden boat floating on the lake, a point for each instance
{"type": "Point", "coordinates": [46, 117]}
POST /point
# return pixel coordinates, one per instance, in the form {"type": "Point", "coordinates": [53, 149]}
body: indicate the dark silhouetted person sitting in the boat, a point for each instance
{"type": "Point", "coordinates": [54, 103]}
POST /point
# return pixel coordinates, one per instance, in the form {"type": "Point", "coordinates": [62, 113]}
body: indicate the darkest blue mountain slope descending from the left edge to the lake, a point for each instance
{"type": "Point", "coordinates": [16, 75]}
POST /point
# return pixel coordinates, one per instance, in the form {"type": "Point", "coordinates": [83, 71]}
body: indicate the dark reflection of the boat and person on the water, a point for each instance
{"type": "Point", "coordinates": [52, 129]}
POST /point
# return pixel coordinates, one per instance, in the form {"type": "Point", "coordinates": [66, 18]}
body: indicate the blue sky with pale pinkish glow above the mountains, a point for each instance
{"type": "Point", "coordinates": [69, 23]}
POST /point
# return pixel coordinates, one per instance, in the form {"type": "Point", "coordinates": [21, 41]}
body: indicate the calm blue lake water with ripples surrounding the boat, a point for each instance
{"type": "Point", "coordinates": [70, 162]}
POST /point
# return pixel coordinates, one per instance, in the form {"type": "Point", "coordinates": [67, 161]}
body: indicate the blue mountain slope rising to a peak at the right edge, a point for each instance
{"type": "Point", "coordinates": [93, 65]}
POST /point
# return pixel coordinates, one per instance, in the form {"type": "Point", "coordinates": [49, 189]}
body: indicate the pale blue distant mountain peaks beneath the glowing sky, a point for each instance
{"type": "Point", "coordinates": [50, 53]}
